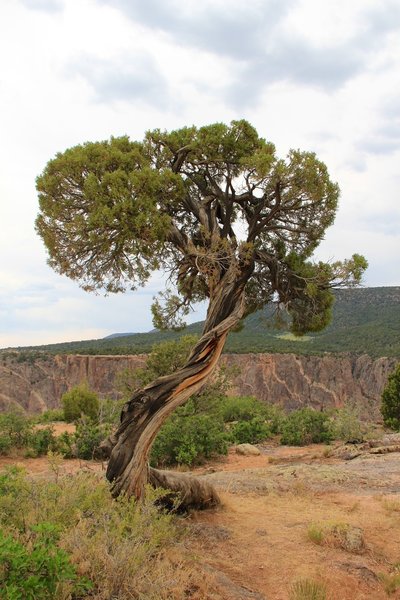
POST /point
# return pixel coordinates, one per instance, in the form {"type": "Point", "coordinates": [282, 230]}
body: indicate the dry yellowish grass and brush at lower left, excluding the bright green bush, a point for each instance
{"type": "Point", "coordinates": [127, 550]}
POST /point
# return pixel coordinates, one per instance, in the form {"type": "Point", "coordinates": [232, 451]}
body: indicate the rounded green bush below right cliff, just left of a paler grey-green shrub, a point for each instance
{"type": "Point", "coordinates": [306, 426]}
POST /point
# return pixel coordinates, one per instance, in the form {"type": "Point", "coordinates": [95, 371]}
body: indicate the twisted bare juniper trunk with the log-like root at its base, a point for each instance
{"type": "Point", "coordinates": [144, 414]}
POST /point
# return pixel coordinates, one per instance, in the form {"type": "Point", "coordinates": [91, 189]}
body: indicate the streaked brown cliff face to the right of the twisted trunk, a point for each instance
{"type": "Point", "coordinates": [317, 381]}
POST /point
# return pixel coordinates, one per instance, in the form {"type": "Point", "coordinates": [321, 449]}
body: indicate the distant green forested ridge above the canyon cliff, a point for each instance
{"type": "Point", "coordinates": [365, 321]}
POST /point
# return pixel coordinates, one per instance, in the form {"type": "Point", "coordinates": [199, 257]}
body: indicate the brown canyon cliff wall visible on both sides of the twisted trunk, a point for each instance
{"type": "Point", "coordinates": [286, 379]}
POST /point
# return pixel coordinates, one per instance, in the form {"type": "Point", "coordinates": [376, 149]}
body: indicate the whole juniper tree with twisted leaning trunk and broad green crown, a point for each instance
{"type": "Point", "coordinates": [223, 216]}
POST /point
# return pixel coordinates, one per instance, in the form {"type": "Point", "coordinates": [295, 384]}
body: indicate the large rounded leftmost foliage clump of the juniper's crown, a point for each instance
{"type": "Point", "coordinates": [116, 185]}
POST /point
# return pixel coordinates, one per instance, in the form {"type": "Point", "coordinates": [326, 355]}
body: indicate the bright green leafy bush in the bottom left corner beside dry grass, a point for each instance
{"type": "Point", "coordinates": [39, 570]}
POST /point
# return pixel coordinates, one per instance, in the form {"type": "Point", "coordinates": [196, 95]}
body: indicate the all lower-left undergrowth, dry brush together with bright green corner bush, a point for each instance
{"type": "Point", "coordinates": [67, 538]}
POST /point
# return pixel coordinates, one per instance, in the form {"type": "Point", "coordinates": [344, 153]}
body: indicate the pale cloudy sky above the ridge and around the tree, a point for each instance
{"type": "Point", "coordinates": [319, 76]}
